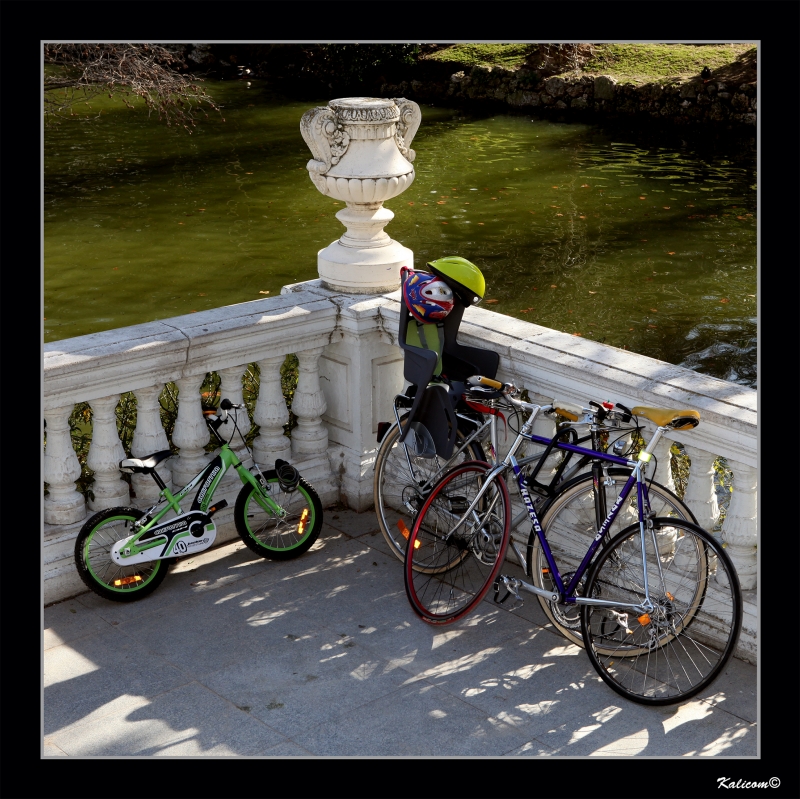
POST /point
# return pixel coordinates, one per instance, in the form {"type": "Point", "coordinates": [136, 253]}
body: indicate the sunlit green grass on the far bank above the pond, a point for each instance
{"type": "Point", "coordinates": [639, 62]}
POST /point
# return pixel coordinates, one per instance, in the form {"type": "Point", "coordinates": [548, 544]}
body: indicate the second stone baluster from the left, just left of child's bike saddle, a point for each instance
{"type": "Point", "coordinates": [105, 453]}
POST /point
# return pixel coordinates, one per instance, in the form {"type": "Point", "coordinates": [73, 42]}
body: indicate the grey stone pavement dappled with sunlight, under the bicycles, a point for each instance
{"type": "Point", "coordinates": [322, 656]}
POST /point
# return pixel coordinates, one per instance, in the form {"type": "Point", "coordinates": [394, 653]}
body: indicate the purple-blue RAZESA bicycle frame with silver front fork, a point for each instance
{"type": "Point", "coordinates": [564, 593]}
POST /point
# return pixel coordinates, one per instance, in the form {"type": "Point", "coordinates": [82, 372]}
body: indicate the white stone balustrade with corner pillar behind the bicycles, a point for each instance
{"type": "Point", "coordinates": [344, 391]}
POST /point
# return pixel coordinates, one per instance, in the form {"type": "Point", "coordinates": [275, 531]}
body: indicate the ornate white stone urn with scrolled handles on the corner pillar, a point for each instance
{"type": "Point", "coordinates": [362, 157]}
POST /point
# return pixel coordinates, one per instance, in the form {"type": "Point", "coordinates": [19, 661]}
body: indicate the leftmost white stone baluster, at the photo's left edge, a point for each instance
{"type": "Point", "coordinates": [64, 504]}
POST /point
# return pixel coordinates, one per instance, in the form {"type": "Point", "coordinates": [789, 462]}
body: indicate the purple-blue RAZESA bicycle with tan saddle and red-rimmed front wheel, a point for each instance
{"type": "Point", "coordinates": [659, 603]}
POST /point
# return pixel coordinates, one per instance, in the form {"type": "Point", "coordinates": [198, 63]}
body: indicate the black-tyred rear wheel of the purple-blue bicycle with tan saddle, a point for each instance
{"type": "Point", "coordinates": [675, 650]}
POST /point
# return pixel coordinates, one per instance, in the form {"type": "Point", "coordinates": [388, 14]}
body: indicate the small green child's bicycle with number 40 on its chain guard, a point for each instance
{"type": "Point", "coordinates": [123, 554]}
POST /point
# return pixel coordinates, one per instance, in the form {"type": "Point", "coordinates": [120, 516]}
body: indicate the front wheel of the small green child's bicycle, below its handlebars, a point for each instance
{"type": "Point", "coordinates": [283, 534]}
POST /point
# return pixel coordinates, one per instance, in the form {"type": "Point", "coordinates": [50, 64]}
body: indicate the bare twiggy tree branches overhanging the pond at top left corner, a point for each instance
{"type": "Point", "coordinates": [147, 71]}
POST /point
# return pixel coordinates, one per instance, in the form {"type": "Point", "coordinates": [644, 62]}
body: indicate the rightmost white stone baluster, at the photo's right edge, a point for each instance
{"type": "Point", "coordinates": [740, 528]}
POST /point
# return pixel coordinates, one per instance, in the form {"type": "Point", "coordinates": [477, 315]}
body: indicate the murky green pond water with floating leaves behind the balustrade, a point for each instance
{"type": "Point", "coordinates": [649, 245]}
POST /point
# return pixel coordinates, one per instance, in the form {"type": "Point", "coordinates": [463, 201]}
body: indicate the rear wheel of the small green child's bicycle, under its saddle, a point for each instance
{"type": "Point", "coordinates": [99, 572]}
